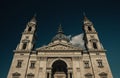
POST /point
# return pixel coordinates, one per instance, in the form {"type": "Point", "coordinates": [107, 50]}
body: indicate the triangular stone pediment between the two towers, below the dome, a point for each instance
{"type": "Point", "coordinates": [59, 46]}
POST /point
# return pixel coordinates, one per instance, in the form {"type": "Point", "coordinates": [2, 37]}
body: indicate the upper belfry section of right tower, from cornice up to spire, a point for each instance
{"type": "Point", "coordinates": [92, 41]}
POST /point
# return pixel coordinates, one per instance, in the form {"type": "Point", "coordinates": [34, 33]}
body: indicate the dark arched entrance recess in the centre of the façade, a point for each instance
{"type": "Point", "coordinates": [59, 69]}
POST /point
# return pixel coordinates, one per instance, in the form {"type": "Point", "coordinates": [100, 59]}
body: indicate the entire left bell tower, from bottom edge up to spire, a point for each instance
{"type": "Point", "coordinates": [23, 51]}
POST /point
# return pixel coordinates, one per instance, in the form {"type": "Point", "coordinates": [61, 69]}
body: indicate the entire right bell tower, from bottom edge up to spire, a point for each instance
{"type": "Point", "coordinates": [95, 50]}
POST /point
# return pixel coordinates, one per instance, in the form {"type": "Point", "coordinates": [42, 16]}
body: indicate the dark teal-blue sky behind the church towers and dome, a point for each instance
{"type": "Point", "coordinates": [14, 15]}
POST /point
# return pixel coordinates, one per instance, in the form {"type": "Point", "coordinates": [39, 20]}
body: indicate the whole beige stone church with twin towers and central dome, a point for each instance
{"type": "Point", "coordinates": [60, 58]}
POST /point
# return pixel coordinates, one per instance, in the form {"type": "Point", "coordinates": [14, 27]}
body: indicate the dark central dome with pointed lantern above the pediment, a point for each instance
{"type": "Point", "coordinates": [60, 35]}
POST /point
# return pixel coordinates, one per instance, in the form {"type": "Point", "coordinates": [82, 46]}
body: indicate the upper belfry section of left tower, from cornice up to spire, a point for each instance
{"type": "Point", "coordinates": [27, 41]}
